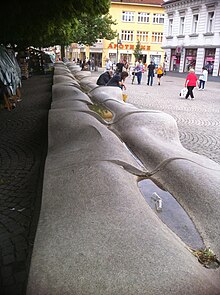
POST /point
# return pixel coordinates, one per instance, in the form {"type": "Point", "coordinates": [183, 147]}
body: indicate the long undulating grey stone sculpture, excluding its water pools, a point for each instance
{"type": "Point", "coordinates": [96, 233]}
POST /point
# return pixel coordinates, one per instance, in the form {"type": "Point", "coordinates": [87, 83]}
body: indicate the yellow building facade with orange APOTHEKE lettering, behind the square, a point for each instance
{"type": "Point", "coordinates": [135, 21]}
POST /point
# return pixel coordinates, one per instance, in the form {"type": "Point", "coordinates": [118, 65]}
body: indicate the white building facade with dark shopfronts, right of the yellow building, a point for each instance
{"type": "Point", "coordinates": [192, 35]}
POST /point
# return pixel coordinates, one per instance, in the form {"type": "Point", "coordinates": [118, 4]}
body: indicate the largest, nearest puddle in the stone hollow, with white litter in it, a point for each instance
{"type": "Point", "coordinates": [172, 214]}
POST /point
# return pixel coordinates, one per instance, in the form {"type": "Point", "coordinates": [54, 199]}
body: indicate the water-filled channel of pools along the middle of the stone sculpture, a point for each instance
{"type": "Point", "coordinates": [166, 207]}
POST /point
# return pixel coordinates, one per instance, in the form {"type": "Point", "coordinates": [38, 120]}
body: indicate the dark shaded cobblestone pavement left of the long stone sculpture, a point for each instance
{"type": "Point", "coordinates": [23, 147]}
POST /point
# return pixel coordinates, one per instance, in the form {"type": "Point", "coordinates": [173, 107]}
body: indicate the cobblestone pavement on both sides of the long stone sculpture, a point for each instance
{"type": "Point", "coordinates": [23, 148]}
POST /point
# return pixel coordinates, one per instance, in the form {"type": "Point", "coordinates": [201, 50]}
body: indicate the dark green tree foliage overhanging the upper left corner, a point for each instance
{"type": "Point", "coordinates": [43, 22]}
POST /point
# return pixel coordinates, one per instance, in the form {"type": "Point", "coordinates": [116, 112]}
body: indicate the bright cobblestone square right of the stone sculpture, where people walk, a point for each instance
{"type": "Point", "coordinates": [198, 120]}
